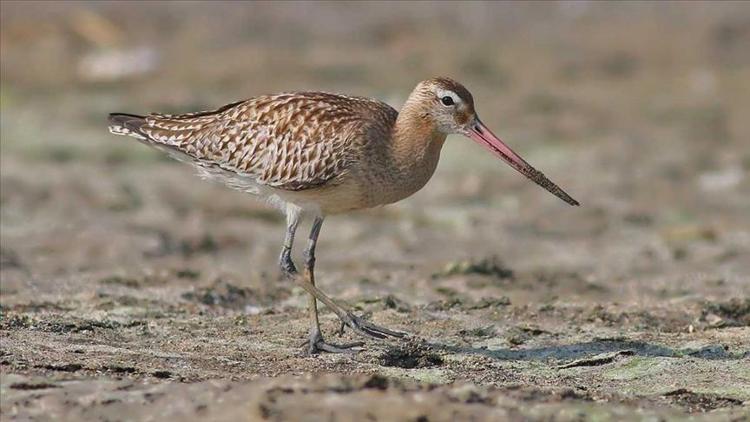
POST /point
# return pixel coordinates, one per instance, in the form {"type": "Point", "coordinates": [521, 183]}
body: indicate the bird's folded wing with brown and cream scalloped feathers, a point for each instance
{"type": "Point", "coordinates": [291, 141]}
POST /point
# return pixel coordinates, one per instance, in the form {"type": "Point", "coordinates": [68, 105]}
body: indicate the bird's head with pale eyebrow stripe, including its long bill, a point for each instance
{"type": "Point", "coordinates": [449, 108]}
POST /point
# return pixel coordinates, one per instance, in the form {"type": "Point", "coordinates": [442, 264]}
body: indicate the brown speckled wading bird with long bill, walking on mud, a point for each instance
{"type": "Point", "coordinates": [316, 154]}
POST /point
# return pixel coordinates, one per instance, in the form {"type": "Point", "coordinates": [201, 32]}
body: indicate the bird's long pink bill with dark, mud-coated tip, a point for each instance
{"type": "Point", "coordinates": [486, 138]}
